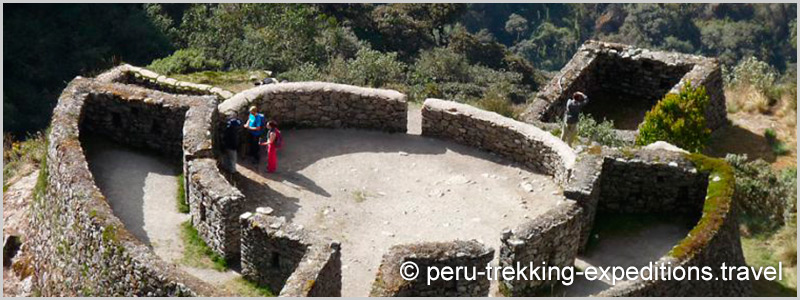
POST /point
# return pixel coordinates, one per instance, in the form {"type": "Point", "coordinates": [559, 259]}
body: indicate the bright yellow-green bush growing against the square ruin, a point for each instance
{"type": "Point", "coordinates": [678, 119]}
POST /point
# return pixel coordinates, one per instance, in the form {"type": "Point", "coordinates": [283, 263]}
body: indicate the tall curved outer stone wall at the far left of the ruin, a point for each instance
{"type": "Point", "coordinates": [81, 248]}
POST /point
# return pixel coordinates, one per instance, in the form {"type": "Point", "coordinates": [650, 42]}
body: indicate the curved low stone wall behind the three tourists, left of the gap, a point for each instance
{"type": "Point", "coordinates": [320, 104]}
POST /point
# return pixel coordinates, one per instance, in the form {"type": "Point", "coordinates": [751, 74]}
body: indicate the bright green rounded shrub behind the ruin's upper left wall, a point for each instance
{"type": "Point", "coordinates": [185, 61]}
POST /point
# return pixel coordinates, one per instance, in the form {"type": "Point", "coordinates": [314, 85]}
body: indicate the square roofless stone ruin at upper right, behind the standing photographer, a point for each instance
{"type": "Point", "coordinates": [623, 82]}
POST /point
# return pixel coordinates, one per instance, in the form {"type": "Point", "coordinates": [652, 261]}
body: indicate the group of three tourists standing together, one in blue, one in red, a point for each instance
{"type": "Point", "coordinates": [261, 134]}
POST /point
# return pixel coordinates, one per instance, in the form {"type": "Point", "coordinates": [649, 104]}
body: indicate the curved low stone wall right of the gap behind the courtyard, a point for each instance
{"type": "Point", "coordinates": [520, 142]}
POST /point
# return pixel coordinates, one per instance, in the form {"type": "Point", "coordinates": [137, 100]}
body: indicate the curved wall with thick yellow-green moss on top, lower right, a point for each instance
{"type": "Point", "coordinates": [712, 242]}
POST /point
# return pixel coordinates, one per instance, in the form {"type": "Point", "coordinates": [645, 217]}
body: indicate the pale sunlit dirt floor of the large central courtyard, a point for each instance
{"type": "Point", "coordinates": [372, 190]}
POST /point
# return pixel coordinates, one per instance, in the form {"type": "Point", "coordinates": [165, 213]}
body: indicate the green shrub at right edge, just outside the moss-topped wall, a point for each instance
{"type": "Point", "coordinates": [765, 198]}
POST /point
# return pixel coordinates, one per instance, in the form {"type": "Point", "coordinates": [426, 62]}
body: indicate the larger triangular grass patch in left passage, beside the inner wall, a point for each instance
{"type": "Point", "coordinates": [196, 252]}
